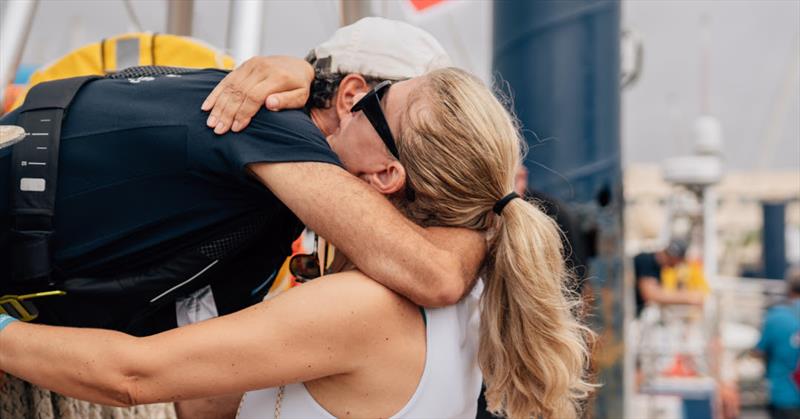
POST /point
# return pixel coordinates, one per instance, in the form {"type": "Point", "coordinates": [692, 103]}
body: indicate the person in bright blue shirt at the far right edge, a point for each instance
{"type": "Point", "coordinates": [780, 346]}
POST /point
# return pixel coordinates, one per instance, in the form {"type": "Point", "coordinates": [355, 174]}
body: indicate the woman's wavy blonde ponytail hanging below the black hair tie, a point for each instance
{"type": "Point", "coordinates": [532, 350]}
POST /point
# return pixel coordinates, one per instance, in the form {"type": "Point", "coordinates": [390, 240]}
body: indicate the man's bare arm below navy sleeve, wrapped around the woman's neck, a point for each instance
{"type": "Point", "coordinates": [431, 267]}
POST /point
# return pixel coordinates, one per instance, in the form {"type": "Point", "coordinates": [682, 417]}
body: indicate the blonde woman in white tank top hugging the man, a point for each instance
{"type": "Point", "coordinates": [445, 151]}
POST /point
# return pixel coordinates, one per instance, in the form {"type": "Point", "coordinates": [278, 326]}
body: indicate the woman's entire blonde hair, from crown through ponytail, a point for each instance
{"type": "Point", "coordinates": [461, 149]}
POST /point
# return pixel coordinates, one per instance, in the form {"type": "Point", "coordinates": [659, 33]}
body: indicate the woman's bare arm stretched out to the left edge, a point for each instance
{"type": "Point", "coordinates": [316, 330]}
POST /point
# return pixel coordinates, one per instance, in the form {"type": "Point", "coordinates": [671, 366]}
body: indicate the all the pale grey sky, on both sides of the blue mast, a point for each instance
{"type": "Point", "coordinates": [753, 60]}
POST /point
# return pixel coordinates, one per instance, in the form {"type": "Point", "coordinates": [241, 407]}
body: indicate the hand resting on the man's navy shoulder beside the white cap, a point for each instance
{"type": "Point", "coordinates": [277, 82]}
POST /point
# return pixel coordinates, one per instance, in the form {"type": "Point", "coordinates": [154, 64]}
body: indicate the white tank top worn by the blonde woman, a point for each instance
{"type": "Point", "coordinates": [449, 386]}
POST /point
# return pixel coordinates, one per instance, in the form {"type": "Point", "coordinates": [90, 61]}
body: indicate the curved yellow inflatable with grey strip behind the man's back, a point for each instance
{"type": "Point", "coordinates": [133, 49]}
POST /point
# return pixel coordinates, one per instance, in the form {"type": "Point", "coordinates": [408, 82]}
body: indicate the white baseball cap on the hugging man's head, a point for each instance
{"type": "Point", "coordinates": [380, 48]}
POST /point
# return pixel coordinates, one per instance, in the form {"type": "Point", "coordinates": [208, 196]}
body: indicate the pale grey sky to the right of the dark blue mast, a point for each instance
{"type": "Point", "coordinates": [753, 88]}
